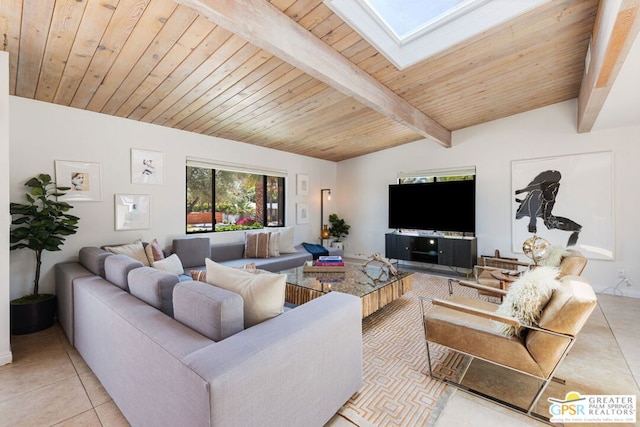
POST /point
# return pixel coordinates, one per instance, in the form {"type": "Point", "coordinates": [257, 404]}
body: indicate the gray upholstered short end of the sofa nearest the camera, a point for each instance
{"type": "Point", "coordinates": [281, 365]}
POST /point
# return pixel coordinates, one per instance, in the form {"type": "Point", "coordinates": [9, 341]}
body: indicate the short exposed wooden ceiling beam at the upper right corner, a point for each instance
{"type": "Point", "coordinates": [617, 26]}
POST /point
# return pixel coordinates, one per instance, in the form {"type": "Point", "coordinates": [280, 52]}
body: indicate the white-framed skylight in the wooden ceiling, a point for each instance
{"type": "Point", "coordinates": [409, 31]}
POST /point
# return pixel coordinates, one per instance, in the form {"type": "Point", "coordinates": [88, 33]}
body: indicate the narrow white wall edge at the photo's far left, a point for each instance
{"type": "Point", "coordinates": [5, 347]}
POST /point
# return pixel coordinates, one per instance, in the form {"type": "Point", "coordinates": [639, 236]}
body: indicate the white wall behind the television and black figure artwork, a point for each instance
{"type": "Point", "coordinates": [549, 131]}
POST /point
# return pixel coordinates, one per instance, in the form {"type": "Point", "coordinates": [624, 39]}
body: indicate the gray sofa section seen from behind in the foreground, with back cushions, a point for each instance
{"type": "Point", "coordinates": [177, 353]}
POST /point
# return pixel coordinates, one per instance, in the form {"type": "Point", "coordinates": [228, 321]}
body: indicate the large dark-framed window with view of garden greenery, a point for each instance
{"type": "Point", "coordinates": [226, 200]}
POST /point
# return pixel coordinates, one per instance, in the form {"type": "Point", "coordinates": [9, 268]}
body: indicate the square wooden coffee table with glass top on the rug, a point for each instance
{"type": "Point", "coordinates": [373, 284]}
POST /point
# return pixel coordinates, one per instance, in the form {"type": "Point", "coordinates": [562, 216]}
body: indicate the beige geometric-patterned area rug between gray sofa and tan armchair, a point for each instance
{"type": "Point", "coordinates": [396, 389]}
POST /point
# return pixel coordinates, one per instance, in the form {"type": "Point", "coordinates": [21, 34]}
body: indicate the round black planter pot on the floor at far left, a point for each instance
{"type": "Point", "coordinates": [33, 316]}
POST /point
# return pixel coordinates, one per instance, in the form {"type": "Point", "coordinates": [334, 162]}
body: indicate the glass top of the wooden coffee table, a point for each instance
{"type": "Point", "coordinates": [355, 280]}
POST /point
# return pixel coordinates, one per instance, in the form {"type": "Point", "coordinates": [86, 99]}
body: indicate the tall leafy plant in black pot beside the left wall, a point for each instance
{"type": "Point", "coordinates": [39, 225]}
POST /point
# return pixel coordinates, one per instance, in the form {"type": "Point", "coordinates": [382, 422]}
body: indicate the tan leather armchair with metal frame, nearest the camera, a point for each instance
{"type": "Point", "coordinates": [468, 326]}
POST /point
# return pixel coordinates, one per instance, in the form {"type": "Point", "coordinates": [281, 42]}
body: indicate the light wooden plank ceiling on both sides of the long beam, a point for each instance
{"type": "Point", "coordinates": [161, 62]}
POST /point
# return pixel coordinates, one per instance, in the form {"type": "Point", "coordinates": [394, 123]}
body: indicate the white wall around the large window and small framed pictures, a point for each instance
{"type": "Point", "coordinates": [42, 133]}
